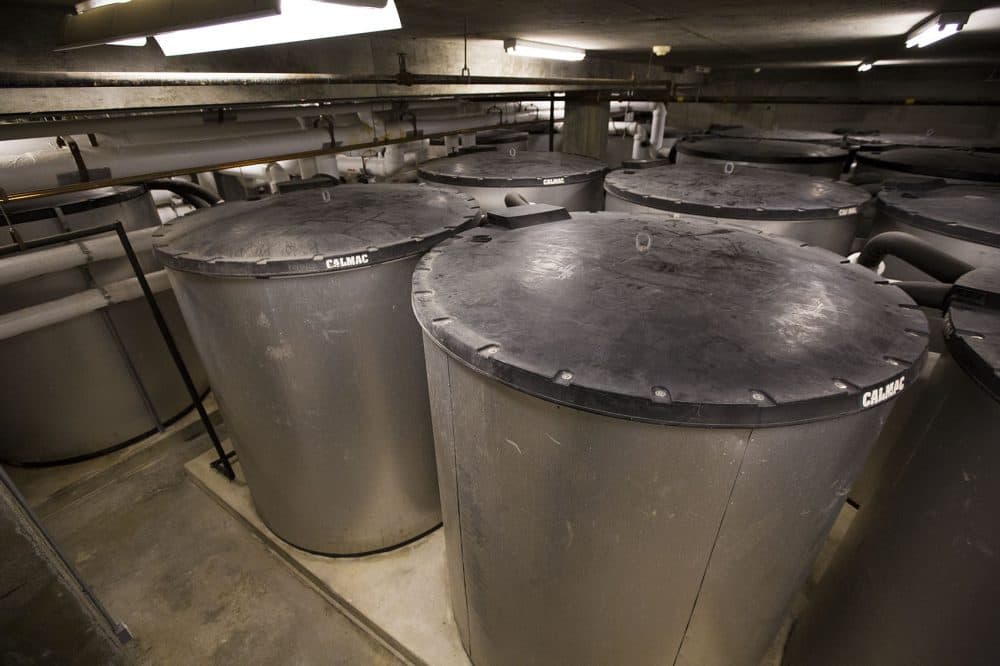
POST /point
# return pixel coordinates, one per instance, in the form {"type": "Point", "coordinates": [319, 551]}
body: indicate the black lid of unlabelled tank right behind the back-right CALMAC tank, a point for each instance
{"type": "Point", "coordinates": [763, 151]}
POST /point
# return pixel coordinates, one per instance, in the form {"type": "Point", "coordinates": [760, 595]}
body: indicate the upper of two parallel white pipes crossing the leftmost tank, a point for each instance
{"type": "Point", "coordinates": [42, 262]}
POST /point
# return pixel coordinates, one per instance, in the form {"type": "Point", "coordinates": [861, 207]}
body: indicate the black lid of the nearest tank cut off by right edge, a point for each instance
{"type": "Point", "coordinates": [972, 326]}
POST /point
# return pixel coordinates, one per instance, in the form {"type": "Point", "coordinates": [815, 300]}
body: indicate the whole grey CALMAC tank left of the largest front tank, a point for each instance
{"type": "Point", "coordinates": [299, 305]}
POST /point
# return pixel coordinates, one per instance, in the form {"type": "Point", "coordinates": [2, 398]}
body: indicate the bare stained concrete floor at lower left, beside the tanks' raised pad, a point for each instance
{"type": "Point", "coordinates": [193, 585]}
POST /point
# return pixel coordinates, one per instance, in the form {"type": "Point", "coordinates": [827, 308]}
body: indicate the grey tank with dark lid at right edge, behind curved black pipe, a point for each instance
{"type": "Point", "coordinates": [962, 220]}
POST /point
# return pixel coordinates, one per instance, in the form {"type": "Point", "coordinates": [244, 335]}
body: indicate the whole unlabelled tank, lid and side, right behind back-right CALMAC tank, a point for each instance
{"type": "Point", "coordinates": [808, 158]}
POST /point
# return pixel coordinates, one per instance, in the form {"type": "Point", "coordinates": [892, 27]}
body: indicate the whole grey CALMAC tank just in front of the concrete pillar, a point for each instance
{"type": "Point", "coordinates": [559, 179]}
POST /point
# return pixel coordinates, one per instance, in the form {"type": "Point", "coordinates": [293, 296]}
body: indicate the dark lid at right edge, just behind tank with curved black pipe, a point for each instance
{"type": "Point", "coordinates": [937, 163]}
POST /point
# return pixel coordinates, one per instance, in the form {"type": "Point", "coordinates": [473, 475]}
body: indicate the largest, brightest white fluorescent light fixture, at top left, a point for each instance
{"type": "Point", "coordinates": [299, 21]}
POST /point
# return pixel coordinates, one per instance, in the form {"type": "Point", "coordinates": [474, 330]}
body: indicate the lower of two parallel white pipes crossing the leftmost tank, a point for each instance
{"type": "Point", "coordinates": [63, 309]}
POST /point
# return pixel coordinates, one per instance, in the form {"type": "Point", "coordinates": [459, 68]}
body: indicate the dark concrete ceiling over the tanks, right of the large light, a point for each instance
{"type": "Point", "coordinates": [711, 32]}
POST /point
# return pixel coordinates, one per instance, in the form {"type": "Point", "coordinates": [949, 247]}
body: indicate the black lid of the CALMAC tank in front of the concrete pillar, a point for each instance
{"type": "Point", "coordinates": [500, 168]}
